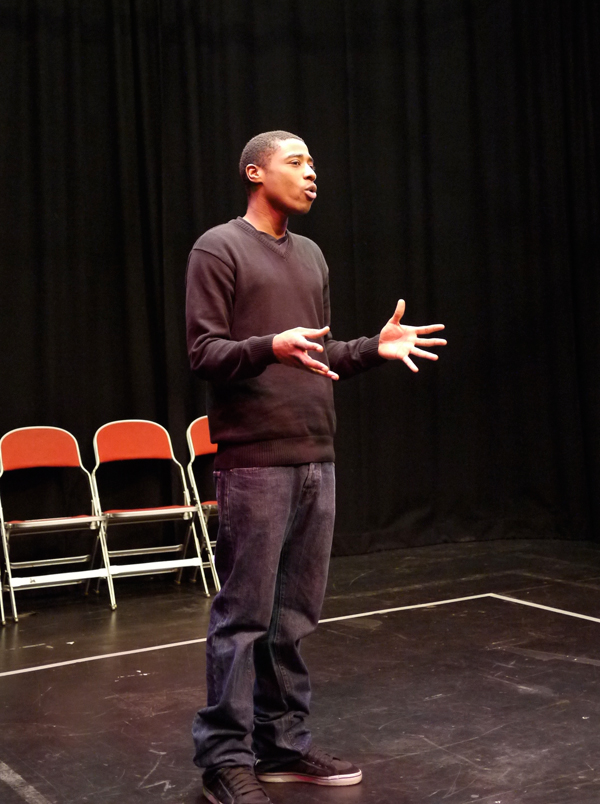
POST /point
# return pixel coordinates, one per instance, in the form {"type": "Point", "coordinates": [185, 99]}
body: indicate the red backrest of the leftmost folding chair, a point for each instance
{"type": "Point", "coordinates": [30, 447]}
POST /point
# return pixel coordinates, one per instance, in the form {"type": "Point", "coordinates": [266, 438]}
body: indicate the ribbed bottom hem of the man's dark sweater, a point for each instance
{"type": "Point", "coordinates": [279, 452]}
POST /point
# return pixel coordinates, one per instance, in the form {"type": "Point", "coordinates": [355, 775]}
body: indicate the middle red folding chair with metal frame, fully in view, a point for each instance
{"type": "Point", "coordinates": [141, 440]}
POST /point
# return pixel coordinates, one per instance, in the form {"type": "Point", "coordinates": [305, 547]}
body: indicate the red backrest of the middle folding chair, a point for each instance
{"type": "Point", "coordinates": [132, 439]}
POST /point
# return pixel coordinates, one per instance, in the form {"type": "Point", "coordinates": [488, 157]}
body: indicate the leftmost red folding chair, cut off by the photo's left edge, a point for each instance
{"type": "Point", "coordinates": [47, 447]}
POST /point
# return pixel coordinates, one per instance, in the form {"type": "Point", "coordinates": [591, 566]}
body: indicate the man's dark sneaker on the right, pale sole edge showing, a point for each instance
{"type": "Point", "coordinates": [315, 767]}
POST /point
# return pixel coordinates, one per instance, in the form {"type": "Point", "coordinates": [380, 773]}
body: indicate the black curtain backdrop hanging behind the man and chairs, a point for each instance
{"type": "Point", "coordinates": [457, 151]}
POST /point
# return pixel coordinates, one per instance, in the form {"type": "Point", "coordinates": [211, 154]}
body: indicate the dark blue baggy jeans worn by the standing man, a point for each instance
{"type": "Point", "coordinates": [272, 556]}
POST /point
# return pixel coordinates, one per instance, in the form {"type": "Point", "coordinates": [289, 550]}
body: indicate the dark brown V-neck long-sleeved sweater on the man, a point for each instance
{"type": "Point", "coordinates": [244, 287]}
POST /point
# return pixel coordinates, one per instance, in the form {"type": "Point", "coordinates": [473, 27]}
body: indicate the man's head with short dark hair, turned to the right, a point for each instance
{"type": "Point", "coordinates": [277, 164]}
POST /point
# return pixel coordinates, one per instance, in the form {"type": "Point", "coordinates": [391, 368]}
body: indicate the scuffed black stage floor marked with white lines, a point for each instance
{"type": "Point", "coordinates": [455, 674]}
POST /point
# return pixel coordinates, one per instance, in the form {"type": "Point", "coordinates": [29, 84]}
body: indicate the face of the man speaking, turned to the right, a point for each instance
{"type": "Point", "coordinates": [288, 180]}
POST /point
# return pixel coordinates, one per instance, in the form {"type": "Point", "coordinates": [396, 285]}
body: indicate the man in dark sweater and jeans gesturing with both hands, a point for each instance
{"type": "Point", "coordinates": [258, 331]}
